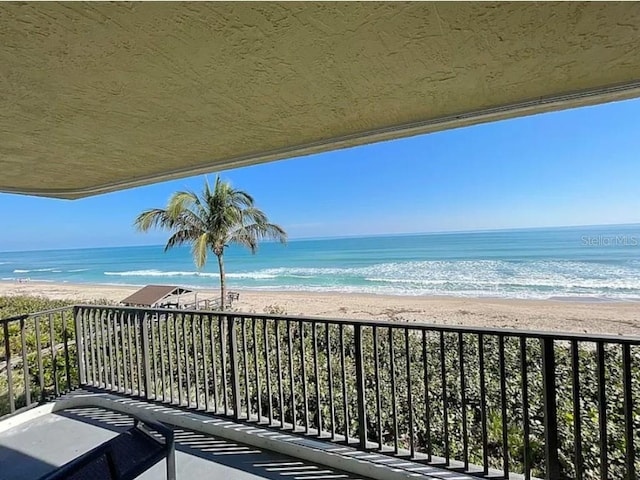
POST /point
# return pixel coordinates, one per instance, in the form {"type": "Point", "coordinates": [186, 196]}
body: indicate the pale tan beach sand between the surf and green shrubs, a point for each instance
{"type": "Point", "coordinates": [550, 315]}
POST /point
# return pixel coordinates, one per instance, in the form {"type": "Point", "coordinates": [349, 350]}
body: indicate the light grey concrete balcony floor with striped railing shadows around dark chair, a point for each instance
{"type": "Point", "coordinates": [39, 445]}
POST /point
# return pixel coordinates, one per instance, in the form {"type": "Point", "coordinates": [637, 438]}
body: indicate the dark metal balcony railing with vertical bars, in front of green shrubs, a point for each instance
{"type": "Point", "coordinates": [471, 399]}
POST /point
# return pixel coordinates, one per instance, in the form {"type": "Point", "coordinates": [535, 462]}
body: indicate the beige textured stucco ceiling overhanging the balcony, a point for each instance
{"type": "Point", "coordinates": [96, 97]}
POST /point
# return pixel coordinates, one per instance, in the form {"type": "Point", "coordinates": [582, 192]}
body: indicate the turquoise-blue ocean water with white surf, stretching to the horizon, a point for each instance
{"type": "Point", "coordinates": [597, 262]}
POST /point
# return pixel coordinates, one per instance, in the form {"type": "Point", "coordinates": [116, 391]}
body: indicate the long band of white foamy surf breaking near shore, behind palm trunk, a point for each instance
{"type": "Point", "coordinates": [529, 279]}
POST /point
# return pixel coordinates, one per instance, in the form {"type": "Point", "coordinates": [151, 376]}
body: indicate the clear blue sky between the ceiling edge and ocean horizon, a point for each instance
{"type": "Point", "coordinates": [575, 167]}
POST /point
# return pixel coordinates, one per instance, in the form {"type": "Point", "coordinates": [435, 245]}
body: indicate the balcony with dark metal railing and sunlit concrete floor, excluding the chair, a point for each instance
{"type": "Point", "coordinates": [268, 396]}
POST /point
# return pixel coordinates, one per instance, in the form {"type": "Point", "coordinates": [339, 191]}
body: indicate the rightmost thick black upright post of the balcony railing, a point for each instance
{"type": "Point", "coordinates": [550, 413]}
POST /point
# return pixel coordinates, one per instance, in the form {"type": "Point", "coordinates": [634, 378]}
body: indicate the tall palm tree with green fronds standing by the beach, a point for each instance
{"type": "Point", "coordinates": [212, 221]}
